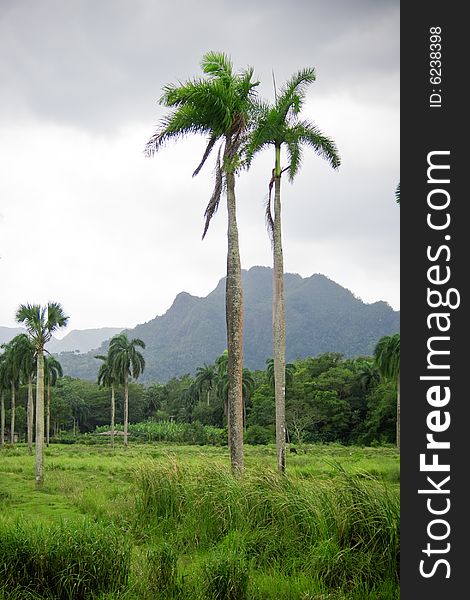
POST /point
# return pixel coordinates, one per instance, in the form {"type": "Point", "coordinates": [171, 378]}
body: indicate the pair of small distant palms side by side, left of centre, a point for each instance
{"type": "Point", "coordinates": [122, 361]}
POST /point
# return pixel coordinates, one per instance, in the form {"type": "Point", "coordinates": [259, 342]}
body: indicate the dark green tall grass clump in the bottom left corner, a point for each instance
{"type": "Point", "coordinates": [65, 562]}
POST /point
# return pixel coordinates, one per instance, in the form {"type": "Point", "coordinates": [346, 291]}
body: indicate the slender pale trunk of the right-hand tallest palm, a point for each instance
{"type": "Point", "coordinates": [279, 325]}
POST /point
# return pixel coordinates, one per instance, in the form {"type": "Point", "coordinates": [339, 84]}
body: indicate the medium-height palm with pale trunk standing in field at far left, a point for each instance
{"type": "Point", "coordinates": [41, 322]}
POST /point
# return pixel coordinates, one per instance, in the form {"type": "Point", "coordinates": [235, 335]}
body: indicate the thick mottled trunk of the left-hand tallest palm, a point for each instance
{"type": "Point", "coordinates": [234, 317]}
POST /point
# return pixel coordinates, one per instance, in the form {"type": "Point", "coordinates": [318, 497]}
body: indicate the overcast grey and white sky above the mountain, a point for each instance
{"type": "Point", "coordinates": [87, 220]}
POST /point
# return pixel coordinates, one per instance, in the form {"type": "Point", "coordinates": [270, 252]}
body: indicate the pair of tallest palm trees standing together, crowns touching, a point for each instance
{"type": "Point", "coordinates": [223, 106]}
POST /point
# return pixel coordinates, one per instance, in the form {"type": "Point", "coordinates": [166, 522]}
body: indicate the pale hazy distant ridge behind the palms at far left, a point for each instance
{"type": "Point", "coordinates": [81, 341]}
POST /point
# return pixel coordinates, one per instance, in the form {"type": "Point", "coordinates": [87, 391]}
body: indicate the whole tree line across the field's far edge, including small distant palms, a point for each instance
{"type": "Point", "coordinates": [328, 398]}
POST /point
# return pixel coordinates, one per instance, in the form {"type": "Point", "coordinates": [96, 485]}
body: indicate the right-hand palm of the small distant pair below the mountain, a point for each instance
{"type": "Point", "coordinates": [125, 360]}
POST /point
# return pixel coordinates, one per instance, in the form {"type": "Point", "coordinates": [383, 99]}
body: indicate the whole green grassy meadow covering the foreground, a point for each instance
{"type": "Point", "coordinates": [161, 521]}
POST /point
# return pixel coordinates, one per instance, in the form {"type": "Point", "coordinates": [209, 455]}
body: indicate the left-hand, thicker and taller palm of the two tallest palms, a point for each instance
{"type": "Point", "coordinates": [218, 106]}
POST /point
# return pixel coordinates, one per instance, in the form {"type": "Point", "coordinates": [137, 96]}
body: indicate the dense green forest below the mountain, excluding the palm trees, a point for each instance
{"type": "Point", "coordinates": [328, 398]}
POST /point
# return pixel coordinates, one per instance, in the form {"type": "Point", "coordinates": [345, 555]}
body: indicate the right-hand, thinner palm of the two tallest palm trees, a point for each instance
{"type": "Point", "coordinates": [279, 125]}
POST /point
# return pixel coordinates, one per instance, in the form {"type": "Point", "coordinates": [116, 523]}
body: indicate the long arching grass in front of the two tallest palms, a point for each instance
{"type": "Point", "coordinates": [343, 531]}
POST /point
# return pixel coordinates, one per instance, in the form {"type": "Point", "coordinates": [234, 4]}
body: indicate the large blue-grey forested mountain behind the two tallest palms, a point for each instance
{"type": "Point", "coordinates": [321, 316]}
